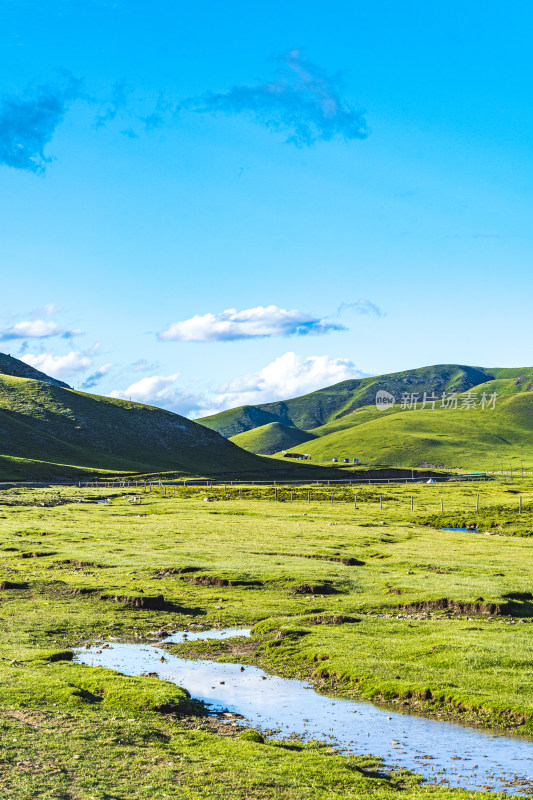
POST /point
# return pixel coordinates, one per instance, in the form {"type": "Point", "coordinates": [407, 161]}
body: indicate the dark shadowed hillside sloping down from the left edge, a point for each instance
{"type": "Point", "coordinates": [49, 430]}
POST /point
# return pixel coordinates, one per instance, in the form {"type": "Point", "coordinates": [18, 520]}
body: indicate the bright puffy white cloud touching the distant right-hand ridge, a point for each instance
{"type": "Point", "coordinates": [288, 376]}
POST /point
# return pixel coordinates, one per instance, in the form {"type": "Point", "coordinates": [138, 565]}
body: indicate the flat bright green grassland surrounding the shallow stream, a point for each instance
{"type": "Point", "coordinates": [347, 596]}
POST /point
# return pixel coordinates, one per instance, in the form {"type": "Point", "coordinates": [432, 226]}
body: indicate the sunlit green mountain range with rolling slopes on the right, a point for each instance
{"type": "Point", "coordinates": [344, 422]}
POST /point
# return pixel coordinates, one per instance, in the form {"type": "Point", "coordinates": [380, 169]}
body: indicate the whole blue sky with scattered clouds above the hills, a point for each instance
{"type": "Point", "coordinates": [207, 204]}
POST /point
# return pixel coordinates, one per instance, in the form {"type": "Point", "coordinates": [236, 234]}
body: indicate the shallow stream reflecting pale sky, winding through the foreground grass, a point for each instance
{"type": "Point", "coordinates": [442, 752]}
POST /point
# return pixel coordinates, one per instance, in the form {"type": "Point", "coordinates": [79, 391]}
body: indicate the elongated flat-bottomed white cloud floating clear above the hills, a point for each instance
{"type": "Point", "coordinates": [248, 324]}
